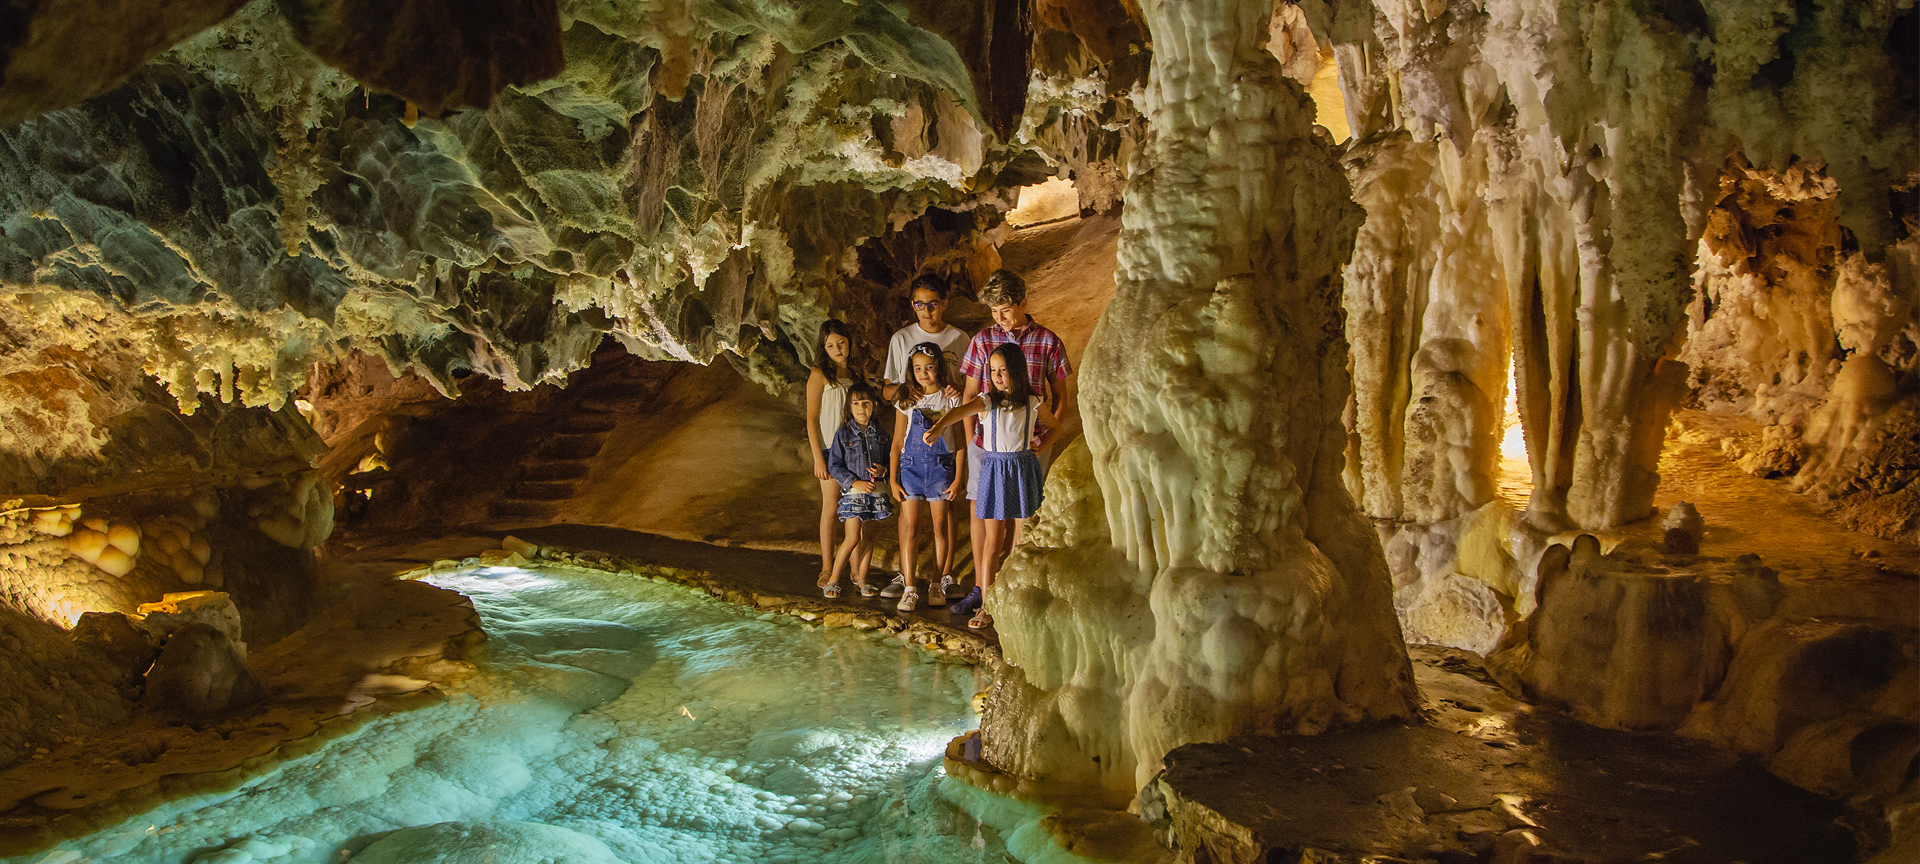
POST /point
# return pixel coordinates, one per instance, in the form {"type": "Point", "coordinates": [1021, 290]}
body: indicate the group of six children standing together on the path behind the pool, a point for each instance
{"type": "Point", "coordinates": [1005, 385]}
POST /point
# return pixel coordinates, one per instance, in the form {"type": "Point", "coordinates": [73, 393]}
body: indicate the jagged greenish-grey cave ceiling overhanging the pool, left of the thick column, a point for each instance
{"type": "Point", "coordinates": [473, 187]}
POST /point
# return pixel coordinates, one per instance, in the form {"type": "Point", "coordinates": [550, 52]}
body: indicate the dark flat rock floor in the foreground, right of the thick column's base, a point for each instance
{"type": "Point", "coordinates": [1485, 771]}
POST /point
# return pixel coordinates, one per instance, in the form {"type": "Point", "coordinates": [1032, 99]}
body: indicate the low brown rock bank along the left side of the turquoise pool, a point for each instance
{"type": "Point", "coordinates": [218, 721]}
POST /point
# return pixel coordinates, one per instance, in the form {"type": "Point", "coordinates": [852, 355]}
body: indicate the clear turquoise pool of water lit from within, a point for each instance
{"type": "Point", "coordinates": [613, 721]}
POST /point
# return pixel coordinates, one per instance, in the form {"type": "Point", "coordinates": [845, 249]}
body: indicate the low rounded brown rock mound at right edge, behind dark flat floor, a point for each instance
{"type": "Point", "coordinates": [1817, 681]}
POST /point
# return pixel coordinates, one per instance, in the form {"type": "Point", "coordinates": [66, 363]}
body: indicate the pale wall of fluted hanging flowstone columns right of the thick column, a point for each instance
{"type": "Point", "coordinates": [1539, 183]}
